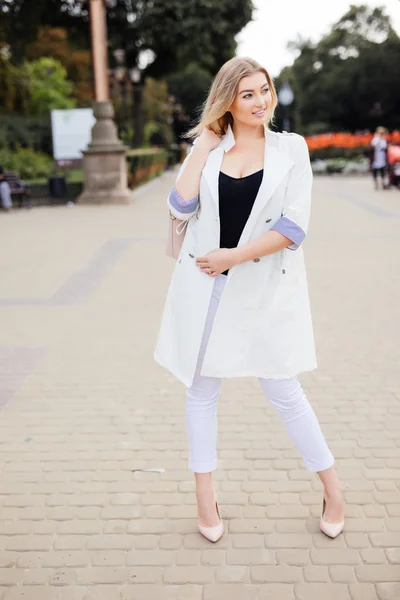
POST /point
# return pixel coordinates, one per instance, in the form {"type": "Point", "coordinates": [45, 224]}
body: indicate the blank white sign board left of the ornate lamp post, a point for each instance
{"type": "Point", "coordinates": [71, 130]}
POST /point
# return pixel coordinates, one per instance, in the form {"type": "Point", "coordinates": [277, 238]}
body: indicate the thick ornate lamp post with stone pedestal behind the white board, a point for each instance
{"type": "Point", "coordinates": [104, 162]}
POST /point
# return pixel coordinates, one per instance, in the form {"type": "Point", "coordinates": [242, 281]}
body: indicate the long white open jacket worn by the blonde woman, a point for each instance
{"type": "Point", "coordinates": [263, 325]}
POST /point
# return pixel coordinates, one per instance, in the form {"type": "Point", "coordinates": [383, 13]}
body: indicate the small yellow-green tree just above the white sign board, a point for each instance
{"type": "Point", "coordinates": [49, 87]}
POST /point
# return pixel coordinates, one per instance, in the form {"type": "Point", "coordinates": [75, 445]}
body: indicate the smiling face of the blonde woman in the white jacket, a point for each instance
{"type": "Point", "coordinates": [252, 104]}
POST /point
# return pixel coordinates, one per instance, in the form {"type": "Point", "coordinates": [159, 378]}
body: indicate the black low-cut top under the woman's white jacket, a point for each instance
{"type": "Point", "coordinates": [236, 199]}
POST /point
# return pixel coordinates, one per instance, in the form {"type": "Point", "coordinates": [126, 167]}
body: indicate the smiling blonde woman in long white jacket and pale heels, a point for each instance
{"type": "Point", "coordinates": [238, 301]}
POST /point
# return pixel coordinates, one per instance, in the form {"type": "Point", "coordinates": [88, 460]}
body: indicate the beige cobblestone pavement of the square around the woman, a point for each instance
{"type": "Point", "coordinates": [85, 408]}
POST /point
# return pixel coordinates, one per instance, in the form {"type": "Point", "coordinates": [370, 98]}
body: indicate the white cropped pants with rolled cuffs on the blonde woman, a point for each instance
{"type": "Point", "coordinates": [286, 395]}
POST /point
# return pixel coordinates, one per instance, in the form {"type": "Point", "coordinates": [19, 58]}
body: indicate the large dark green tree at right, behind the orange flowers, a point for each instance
{"type": "Point", "coordinates": [348, 80]}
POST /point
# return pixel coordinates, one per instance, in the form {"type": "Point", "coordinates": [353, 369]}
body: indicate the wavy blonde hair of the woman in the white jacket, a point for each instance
{"type": "Point", "coordinates": [215, 114]}
